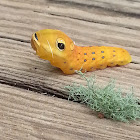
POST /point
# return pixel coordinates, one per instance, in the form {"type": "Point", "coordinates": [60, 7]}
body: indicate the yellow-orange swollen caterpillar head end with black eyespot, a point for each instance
{"type": "Point", "coordinates": [52, 45]}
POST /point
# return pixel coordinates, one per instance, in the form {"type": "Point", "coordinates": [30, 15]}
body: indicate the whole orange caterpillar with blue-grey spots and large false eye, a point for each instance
{"type": "Point", "coordinates": [60, 50]}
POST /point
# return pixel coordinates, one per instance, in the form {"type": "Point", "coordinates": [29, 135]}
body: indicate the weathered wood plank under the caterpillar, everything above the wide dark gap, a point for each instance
{"type": "Point", "coordinates": [96, 26]}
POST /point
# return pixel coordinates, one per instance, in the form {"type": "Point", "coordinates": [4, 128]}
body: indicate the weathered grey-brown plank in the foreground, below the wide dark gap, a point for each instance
{"type": "Point", "coordinates": [28, 115]}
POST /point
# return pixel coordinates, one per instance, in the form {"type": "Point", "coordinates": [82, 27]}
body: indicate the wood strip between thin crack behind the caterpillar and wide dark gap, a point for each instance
{"type": "Point", "coordinates": [23, 69]}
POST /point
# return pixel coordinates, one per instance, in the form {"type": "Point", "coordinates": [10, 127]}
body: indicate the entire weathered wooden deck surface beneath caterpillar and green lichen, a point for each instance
{"type": "Point", "coordinates": [27, 114]}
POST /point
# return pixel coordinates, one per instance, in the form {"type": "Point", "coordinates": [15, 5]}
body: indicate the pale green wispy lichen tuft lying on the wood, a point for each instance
{"type": "Point", "coordinates": [108, 100]}
